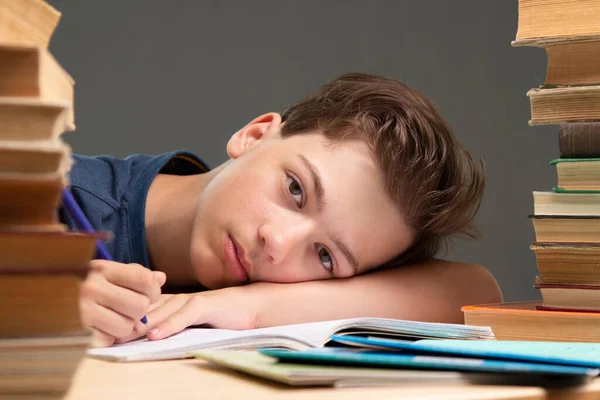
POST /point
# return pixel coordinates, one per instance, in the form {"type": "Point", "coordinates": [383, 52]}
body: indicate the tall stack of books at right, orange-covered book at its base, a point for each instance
{"type": "Point", "coordinates": [566, 220]}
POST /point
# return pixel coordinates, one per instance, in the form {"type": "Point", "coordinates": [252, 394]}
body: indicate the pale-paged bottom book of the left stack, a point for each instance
{"type": "Point", "coordinates": [41, 367]}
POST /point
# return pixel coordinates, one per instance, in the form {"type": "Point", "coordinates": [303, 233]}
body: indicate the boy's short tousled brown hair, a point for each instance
{"type": "Point", "coordinates": [428, 174]}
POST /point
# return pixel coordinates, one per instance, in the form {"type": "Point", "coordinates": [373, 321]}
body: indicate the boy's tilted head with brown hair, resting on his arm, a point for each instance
{"type": "Point", "coordinates": [362, 173]}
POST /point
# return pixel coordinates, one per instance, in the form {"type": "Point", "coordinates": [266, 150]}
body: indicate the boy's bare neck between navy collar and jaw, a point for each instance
{"type": "Point", "coordinates": [170, 213]}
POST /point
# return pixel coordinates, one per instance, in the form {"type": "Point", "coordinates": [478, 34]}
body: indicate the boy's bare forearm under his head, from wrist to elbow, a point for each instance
{"type": "Point", "coordinates": [433, 291]}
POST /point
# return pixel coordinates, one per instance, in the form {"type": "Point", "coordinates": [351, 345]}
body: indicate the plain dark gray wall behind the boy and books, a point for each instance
{"type": "Point", "coordinates": [154, 76]}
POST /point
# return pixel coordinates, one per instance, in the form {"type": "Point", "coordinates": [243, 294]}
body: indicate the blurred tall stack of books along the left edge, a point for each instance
{"type": "Point", "coordinates": [42, 337]}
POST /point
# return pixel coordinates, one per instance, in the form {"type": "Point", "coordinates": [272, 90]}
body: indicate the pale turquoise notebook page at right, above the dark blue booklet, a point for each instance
{"type": "Point", "coordinates": [571, 353]}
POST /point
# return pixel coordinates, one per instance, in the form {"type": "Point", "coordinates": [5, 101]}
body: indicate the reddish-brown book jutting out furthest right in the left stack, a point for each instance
{"type": "Point", "coordinates": [31, 252]}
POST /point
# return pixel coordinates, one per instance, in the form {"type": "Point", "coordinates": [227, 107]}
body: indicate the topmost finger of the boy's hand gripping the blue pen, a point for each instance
{"type": "Point", "coordinates": [134, 277]}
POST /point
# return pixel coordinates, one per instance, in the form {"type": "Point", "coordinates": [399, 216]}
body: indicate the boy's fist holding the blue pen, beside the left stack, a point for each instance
{"type": "Point", "coordinates": [115, 296]}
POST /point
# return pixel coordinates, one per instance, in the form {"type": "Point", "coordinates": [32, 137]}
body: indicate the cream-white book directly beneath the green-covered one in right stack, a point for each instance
{"type": "Point", "coordinates": [567, 203]}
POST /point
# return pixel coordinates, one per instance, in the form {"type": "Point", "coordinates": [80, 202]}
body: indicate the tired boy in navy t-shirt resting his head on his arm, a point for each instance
{"type": "Point", "coordinates": [362, 181]}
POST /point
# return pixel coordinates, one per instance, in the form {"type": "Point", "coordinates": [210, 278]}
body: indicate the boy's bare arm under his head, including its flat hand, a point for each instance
{"type": "Point", "coordinates": [431, 291]}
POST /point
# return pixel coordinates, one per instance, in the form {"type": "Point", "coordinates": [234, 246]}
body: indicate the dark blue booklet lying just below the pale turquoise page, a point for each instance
{"type": "Point", "coordinates": [362, 358]}
